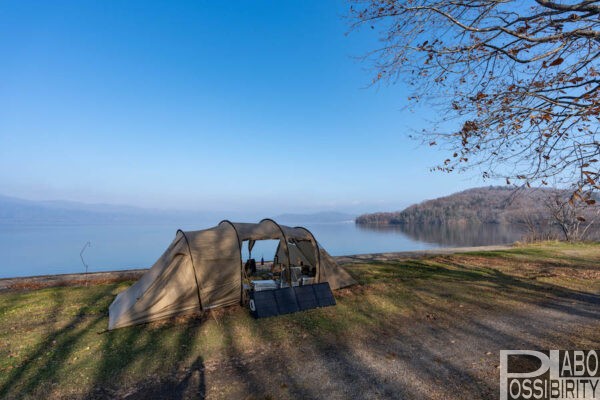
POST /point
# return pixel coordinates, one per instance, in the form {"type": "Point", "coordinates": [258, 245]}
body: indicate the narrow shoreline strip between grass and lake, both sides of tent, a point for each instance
{"type": "Point", "coordinates": [96, 278]}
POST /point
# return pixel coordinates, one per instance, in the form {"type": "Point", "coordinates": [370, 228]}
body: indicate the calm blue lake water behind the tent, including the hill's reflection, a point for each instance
{"type": "Point", "coordinates": [40, 250]}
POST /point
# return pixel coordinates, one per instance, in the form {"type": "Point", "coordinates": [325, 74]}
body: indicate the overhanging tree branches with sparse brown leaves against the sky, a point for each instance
{"type": "Point", "coordinates": [518, 82]}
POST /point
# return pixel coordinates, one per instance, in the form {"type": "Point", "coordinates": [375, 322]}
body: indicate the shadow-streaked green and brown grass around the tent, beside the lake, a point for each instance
{"type": "Point", "coordinates": [50, 345]}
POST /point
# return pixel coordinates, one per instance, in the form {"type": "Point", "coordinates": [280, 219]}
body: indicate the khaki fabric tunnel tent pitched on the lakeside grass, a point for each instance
{"type": "Point", "coordinates": [203, 269]}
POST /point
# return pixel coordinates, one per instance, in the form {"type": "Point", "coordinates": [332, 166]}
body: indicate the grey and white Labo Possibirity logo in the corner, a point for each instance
{"type": "Point", "coordinates": [553, 374]}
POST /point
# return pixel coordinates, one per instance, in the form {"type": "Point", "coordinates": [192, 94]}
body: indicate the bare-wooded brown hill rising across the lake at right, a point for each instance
{"type": "Point", "coordinates": [479, 205]}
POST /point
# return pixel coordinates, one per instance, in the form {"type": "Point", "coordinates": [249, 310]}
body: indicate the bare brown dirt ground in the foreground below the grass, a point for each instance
{"type": "Point", "coordinates": [440, 356]}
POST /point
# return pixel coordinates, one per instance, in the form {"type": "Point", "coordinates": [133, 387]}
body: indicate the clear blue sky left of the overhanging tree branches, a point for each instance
{"type": "Point", "coordinates": [236, 105]}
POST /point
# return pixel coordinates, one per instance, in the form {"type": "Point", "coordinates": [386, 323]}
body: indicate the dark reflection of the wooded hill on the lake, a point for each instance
{"type": "Point", "coordinates": [455, 235]}
